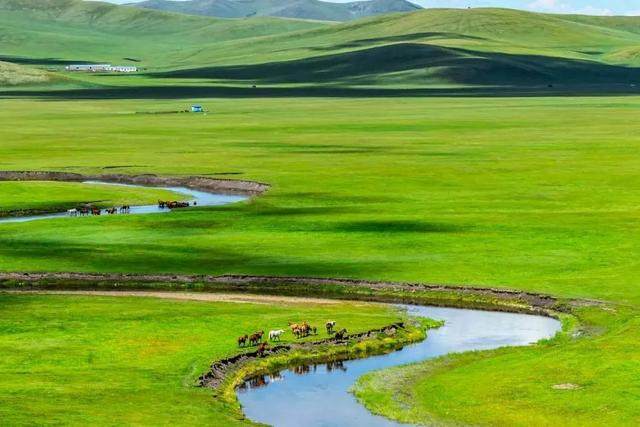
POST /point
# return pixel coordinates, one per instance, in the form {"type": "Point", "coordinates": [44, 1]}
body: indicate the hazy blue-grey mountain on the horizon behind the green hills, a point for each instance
{"type": "Point", "coordinates": [300, 9]}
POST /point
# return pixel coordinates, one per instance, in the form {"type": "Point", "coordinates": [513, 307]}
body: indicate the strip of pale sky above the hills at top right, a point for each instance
{"type": "Point", "coordinates": [589, 7]}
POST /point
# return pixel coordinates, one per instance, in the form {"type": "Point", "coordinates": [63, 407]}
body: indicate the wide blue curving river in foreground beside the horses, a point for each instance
{"type": "Point", "coordinates": [319, 395]}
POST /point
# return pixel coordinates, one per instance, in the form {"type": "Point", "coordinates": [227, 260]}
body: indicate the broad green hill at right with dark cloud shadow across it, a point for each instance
{"type": "Point", "coordinates": [437, 47]}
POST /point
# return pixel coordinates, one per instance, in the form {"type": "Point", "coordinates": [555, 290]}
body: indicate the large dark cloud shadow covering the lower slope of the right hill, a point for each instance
{"type": "Point", "coordinates": [424, 63]}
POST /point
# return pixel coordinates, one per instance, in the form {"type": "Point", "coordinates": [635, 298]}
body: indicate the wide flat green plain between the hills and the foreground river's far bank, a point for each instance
{"type": "Point", "coordinates": [530, 193]}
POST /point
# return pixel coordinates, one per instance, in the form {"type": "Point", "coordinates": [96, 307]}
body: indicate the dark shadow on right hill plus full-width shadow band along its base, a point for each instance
{"type": "Point", "coordinates": [359, 73]}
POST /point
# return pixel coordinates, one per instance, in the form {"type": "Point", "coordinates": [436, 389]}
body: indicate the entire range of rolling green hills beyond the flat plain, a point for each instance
{"type": "Point", "coordinates": [429, 48]}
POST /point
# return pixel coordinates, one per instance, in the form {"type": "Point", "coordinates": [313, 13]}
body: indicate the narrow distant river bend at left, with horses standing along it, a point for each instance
{"type": "Point", "coordinates": [202, 198]}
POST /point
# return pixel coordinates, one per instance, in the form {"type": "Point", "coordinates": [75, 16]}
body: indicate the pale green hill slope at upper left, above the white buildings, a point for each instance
{"type": "Point", "coordinates": [52, 32]}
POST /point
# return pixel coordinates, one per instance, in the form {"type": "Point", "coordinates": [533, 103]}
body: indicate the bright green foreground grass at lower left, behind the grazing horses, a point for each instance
{"type": "Point", "coordinates": [105, 360]}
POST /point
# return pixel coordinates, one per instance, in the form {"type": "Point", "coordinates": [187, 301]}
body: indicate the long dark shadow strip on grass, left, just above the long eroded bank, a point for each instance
{"type": "Point", "coordinates": [167, 258]}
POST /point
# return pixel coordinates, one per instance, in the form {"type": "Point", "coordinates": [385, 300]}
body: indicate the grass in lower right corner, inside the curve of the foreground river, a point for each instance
{"type": "Point", "coordinates": [478, 388]}
